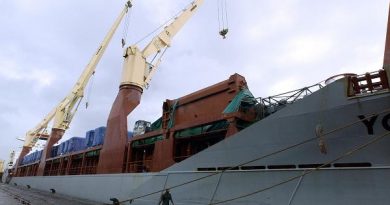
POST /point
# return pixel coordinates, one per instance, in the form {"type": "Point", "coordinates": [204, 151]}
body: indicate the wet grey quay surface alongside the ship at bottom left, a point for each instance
{"type": "Point", "coordinates": [16, 195]}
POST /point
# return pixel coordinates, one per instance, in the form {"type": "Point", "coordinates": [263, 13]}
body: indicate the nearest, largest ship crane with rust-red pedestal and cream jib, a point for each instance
{"type": "Point", "coordinates": [136, 76]}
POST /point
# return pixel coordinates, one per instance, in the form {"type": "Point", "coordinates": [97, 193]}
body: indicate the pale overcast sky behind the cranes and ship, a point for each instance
{"type": "Point", "coordinates": [277, 45]}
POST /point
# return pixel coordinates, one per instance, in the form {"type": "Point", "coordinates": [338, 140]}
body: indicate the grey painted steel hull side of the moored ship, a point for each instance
{"type": "Point", "coordinates": [328, 108]}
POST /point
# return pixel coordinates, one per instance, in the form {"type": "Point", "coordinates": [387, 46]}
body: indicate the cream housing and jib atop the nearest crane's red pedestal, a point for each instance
{"type": "Point", "coordinates": [136, 70]}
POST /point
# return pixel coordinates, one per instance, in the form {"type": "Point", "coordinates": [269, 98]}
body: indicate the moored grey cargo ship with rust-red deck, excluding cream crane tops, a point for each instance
{"type": "Point", "coordinates": [325, 144]}
